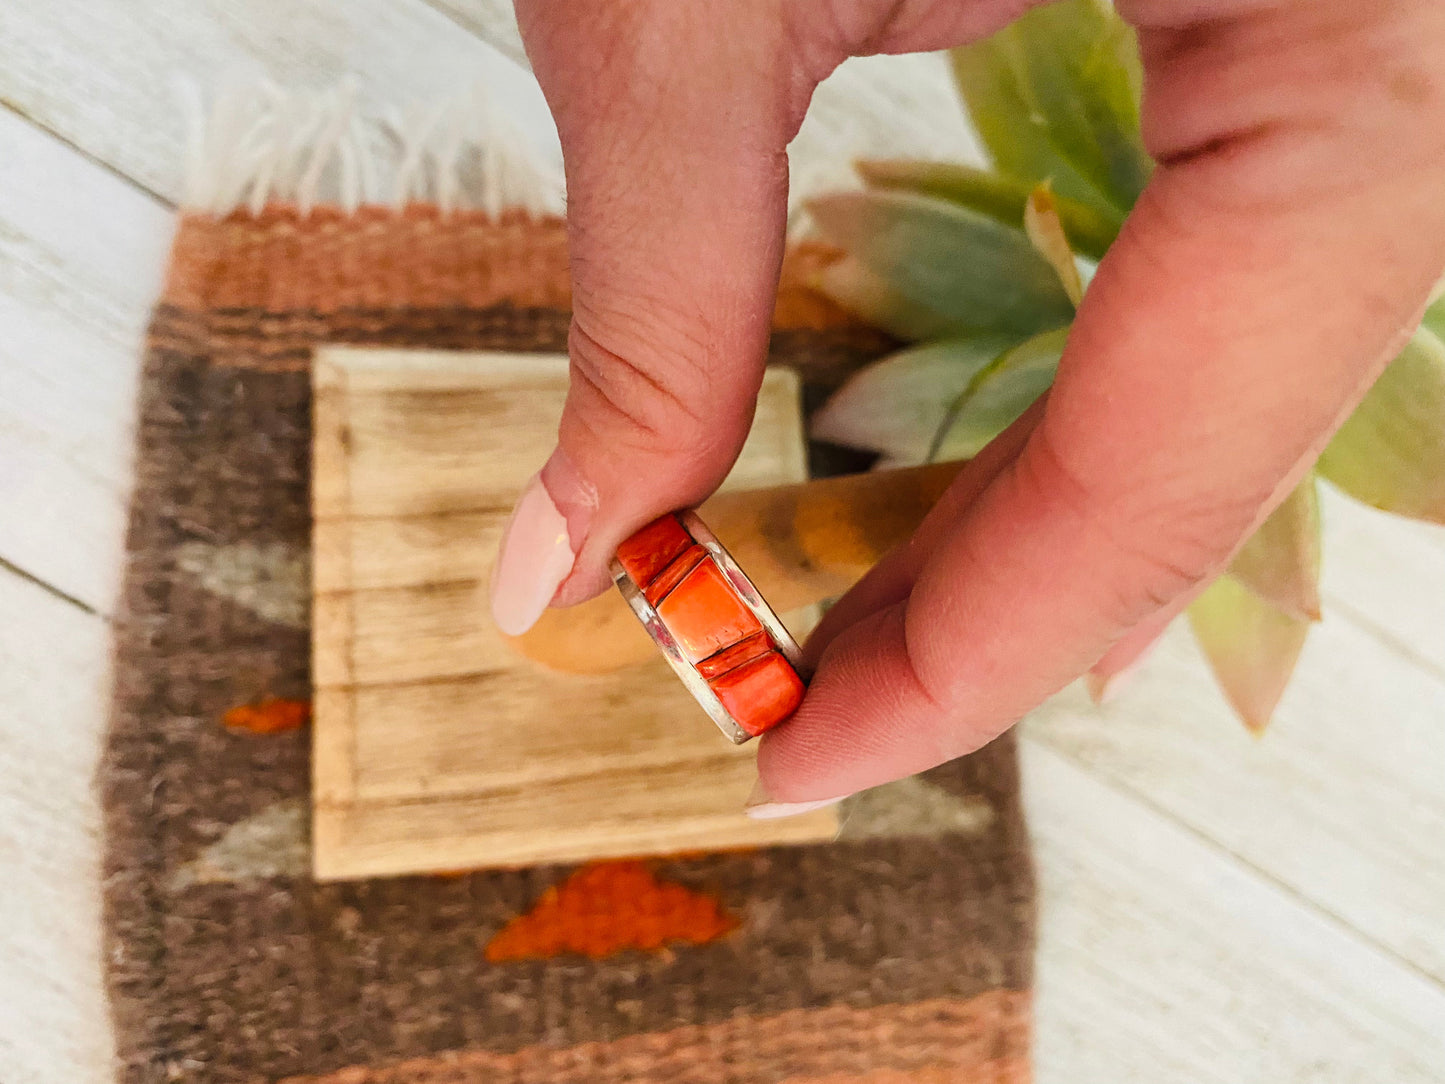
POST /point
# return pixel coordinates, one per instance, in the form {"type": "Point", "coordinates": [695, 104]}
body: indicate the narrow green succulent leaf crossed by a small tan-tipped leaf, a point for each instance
{"type": "Point", "coordinates": [1089, 228]}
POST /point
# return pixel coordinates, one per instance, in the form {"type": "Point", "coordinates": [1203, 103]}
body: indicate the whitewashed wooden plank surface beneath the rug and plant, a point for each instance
{"type": "Point", "coordinates": [1216, 908]}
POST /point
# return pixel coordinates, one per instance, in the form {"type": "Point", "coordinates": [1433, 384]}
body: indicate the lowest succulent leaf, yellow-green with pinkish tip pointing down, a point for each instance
{"type": "Point", "coordinates": [1252, 647]}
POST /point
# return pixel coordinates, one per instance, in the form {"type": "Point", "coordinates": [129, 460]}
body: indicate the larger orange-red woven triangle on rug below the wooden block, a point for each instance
{"type": "Point", "coordinates": [608, 908]}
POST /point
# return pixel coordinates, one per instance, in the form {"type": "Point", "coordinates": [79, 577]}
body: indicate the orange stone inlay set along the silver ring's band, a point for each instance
{"type": "Point", "coordinates": [712, 624]}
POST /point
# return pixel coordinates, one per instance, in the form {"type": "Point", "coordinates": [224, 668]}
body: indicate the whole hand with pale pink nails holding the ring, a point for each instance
{"type": "Point", "coordinates": [1278, 259]}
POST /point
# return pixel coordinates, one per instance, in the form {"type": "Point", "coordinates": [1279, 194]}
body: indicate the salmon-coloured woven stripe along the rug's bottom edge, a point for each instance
{"type": "Point", "coordinates": [983, 1040]}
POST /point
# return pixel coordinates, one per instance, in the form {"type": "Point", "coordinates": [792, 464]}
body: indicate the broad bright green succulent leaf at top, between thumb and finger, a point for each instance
{"type": "Point", "coordinates": [1056, 98]}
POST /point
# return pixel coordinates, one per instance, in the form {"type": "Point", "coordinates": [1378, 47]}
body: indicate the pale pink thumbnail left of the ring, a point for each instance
{"type": "Point", "coordinates": [535, 559]}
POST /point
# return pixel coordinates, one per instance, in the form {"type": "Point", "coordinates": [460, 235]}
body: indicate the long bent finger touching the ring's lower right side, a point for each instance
{"type": "Point", "coordinates": [1264, 281]}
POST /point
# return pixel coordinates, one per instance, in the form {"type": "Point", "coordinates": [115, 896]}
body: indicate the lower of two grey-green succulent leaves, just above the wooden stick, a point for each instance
{"type": "Point", "coordinates": [897, 405]}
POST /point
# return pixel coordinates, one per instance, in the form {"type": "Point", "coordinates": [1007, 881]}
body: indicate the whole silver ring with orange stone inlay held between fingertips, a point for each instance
{"type": "Point", "coordinates": [712, 625]}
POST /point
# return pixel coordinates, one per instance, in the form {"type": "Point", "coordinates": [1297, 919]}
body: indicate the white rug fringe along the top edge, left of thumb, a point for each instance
{"type": "Point", "coordinates": [259, 144]}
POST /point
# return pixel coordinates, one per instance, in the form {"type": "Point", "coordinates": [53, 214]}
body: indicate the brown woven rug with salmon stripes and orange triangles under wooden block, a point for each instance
{"type": "Point", "coordinates": [898, 958]}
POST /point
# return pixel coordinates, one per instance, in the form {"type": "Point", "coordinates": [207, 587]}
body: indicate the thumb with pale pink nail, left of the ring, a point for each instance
{"type": "Point", "coordinates": [674, 122]}
